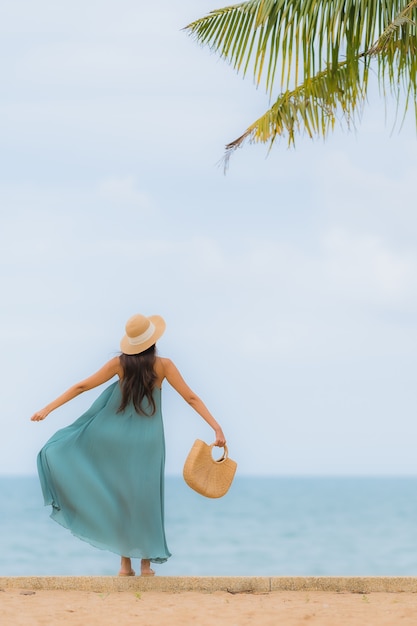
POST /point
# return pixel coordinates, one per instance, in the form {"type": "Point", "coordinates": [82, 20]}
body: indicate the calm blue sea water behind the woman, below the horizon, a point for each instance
{"type": "Point", "coordinates": [263, 526]}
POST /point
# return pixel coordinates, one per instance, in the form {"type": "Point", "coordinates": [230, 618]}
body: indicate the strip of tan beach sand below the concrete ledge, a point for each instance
{"type": "Point", "coordinates": [26, 607]}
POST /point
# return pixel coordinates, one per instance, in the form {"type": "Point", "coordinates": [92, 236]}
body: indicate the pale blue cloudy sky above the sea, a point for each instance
{"type": "Point", "coordinates": [288, 285]}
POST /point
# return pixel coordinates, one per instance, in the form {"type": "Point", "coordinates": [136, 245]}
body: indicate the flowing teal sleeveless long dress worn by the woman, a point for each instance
{"type": "Point", "coordinates": [104, 477]}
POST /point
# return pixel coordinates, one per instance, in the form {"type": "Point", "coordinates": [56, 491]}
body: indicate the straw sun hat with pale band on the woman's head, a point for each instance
{"type": "Point", "coordinates": [141, 333]}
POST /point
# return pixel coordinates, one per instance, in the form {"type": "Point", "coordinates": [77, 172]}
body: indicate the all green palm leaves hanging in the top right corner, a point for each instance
{"type": "Point", "coordinates": [319, 52]}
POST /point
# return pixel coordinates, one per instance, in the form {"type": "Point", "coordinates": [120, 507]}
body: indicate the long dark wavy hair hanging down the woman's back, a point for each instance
{"type": "Point", "coordinates": [138, 380]}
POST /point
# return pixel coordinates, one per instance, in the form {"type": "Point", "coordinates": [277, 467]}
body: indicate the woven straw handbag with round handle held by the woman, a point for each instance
{"type": "Point", "coordinates": [209, 477]}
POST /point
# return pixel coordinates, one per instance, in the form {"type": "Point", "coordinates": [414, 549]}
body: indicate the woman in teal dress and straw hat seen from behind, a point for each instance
{"type": "Point", "coordinates": [104, 474]}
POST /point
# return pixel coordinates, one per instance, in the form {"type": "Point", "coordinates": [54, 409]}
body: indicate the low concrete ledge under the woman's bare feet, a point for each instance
{"type": "Point", "coordinates": [209, 584]}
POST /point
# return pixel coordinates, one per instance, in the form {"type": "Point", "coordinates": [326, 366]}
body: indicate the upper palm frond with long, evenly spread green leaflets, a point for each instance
{"type": "Point", "coordinates": [315, 34]}
